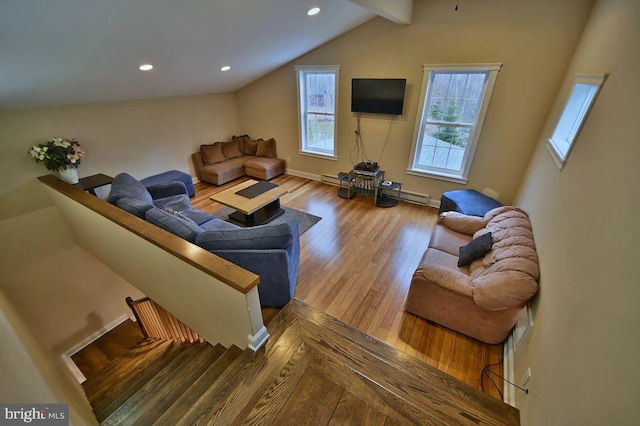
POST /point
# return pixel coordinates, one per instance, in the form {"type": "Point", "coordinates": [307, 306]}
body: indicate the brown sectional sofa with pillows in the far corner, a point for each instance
{"type": "Point", "coordinates": [222, 162]}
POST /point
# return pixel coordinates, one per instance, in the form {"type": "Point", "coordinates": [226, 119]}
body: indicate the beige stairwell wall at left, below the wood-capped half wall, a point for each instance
{"type": "Point", "coordinates": [62, 292]}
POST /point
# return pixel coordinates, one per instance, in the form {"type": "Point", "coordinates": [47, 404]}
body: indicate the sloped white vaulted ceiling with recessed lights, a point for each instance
{"type": "Point", "coordinates": [59, 52]}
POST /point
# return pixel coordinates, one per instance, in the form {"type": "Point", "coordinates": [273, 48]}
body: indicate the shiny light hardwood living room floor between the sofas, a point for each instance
{"type": "Point", "coordinates": [356, 265]}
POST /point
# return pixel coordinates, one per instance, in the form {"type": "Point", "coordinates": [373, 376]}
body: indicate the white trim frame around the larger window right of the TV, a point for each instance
{"type": "Point", "coordinates": [493, 69]}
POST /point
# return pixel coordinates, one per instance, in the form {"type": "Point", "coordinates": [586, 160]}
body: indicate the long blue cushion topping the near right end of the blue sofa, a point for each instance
{"type": "Point", "coordinates": [262, 237]}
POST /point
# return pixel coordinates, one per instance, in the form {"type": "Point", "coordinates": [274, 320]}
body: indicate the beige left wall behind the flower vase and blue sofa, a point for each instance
{"type": "Point", "coordinates": [139, 137]}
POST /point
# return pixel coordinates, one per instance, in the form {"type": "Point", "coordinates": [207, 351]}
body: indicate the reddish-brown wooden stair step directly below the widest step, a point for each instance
{"type": "Point", "coordinates": [108, 399]}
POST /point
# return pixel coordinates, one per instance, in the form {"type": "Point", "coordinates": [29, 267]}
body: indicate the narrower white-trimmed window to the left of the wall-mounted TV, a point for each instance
{"type": "Point", "coordinates": [318, 109]}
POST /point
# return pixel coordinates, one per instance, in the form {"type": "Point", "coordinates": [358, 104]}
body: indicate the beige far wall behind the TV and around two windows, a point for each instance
{"type": "Point", "coordinates": [534, 41]}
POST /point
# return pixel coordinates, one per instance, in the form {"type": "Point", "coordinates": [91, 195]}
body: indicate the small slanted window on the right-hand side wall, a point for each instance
{"type": "Point", "coordinates": [583, 93]}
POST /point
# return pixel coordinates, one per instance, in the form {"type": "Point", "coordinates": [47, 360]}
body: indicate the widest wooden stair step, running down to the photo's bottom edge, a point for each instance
{"type": "Point", "coordinates": [157, 394]}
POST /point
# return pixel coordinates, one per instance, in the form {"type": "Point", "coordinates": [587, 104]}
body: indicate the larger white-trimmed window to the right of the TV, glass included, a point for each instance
{"type": "Point", "coordinates": [453, 103]}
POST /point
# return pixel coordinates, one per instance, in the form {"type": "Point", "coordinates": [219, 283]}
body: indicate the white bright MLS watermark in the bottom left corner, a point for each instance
{"type": "Point", "coordinates": [36, 414]}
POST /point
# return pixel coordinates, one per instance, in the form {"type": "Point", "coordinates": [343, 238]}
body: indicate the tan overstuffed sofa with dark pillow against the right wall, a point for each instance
{"type": "Point", "coordinates": [483, 299]}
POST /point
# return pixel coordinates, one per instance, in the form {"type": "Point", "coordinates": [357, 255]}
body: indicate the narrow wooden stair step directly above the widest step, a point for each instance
{"type": "Point", "coordinates": [177, 411]}
